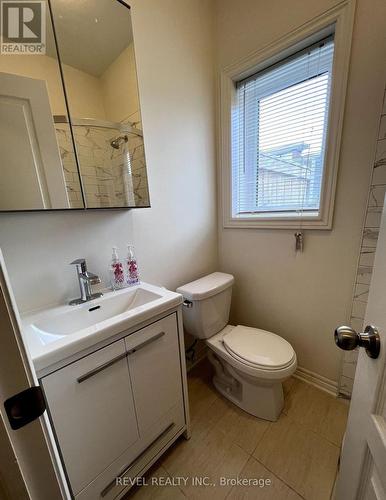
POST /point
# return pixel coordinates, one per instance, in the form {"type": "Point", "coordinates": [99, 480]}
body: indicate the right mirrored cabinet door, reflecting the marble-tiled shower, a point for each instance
{"type": "Point", "coordinates": [101, 85]}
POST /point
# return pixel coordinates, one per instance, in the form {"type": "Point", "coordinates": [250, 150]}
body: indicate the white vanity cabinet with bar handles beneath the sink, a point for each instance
{"type": "Point", "coordinates": [115, 410]}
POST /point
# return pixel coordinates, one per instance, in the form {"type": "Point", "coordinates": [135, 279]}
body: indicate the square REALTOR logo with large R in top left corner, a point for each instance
{"type": "Point", "coordinates": [23, 27]}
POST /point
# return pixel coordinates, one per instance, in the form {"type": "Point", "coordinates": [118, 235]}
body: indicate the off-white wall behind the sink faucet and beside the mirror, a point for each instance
{"type": "Point", "coordinates": [176, 239]}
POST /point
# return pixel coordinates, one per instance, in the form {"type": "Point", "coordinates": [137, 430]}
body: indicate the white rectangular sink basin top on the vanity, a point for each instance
{"type": "Point", "coordinates": [60, 332]}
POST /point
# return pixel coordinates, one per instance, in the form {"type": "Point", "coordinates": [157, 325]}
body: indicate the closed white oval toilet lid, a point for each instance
{"type": "Point", "coordinates": [259, 347]}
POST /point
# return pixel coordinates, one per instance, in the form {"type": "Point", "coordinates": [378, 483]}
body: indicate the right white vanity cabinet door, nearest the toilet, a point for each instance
{"type": "Point", "coordinates": [155, 372]}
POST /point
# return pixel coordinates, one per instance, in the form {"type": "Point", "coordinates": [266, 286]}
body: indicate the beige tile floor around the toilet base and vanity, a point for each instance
{"type": "Point", "coordinates": [297, 455]}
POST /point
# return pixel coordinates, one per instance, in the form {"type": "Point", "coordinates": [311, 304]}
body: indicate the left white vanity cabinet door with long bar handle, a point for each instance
{"type": "Point", "coordinates": [92, 410]}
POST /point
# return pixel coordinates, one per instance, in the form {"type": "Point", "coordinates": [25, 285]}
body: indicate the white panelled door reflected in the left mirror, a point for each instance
{"type": "Point", "coordinates": [28, 147]}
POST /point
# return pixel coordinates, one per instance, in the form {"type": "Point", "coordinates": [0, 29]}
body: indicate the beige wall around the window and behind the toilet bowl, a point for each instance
{"type": "Point", "coordinates": [304, 297]}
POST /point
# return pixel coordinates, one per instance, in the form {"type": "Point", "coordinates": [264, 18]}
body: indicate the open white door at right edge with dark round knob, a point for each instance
{"type": "Point", "coordinates": [362, 472]}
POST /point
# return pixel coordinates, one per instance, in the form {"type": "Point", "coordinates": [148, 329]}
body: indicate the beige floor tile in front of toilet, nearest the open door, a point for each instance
{"type": "Point", "coordinates": [301, 458]}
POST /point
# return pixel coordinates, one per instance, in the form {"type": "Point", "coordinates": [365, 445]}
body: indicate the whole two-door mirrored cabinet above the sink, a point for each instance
{"type": "Point", "coordinates": [70, 121]}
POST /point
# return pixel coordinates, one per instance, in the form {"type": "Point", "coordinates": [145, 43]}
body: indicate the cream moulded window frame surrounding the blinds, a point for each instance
{"type": "Point", "coordinates": [337, 21]}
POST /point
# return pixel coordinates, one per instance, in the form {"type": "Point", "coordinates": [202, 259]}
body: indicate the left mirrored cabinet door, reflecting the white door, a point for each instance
{"type": "Point", "coordinates": [38, 168]}
